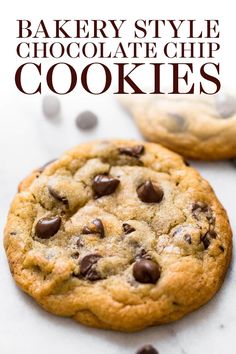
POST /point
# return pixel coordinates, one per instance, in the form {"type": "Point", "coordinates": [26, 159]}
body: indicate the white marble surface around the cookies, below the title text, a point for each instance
{"type": "Point", "coordinates": [28, 140]}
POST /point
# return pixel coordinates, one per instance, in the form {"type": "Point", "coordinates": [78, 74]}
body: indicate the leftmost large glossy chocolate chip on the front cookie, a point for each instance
{"type": "Point", "coordinates": [47, 227]}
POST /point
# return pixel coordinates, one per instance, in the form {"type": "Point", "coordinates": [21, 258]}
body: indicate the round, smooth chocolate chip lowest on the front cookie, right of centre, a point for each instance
{"type": "Point", "coordinates": [146, 271]}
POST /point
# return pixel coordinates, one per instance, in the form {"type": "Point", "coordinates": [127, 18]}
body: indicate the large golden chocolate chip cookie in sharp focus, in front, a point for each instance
{"type": "Point", "coordinates": [118, 234]}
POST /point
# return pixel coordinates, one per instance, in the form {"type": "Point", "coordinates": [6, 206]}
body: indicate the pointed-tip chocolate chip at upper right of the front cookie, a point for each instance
{"type": "Point", "coordinates": [149, 193]}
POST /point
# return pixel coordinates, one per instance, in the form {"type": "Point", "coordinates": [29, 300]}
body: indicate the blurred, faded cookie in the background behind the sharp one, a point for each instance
{"type": "Point", "coordinates": [198, 127]}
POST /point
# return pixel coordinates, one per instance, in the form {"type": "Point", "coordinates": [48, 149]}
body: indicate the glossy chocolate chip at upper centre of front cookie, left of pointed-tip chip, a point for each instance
{"type": "Point", "coordinates": [104, 185]}
